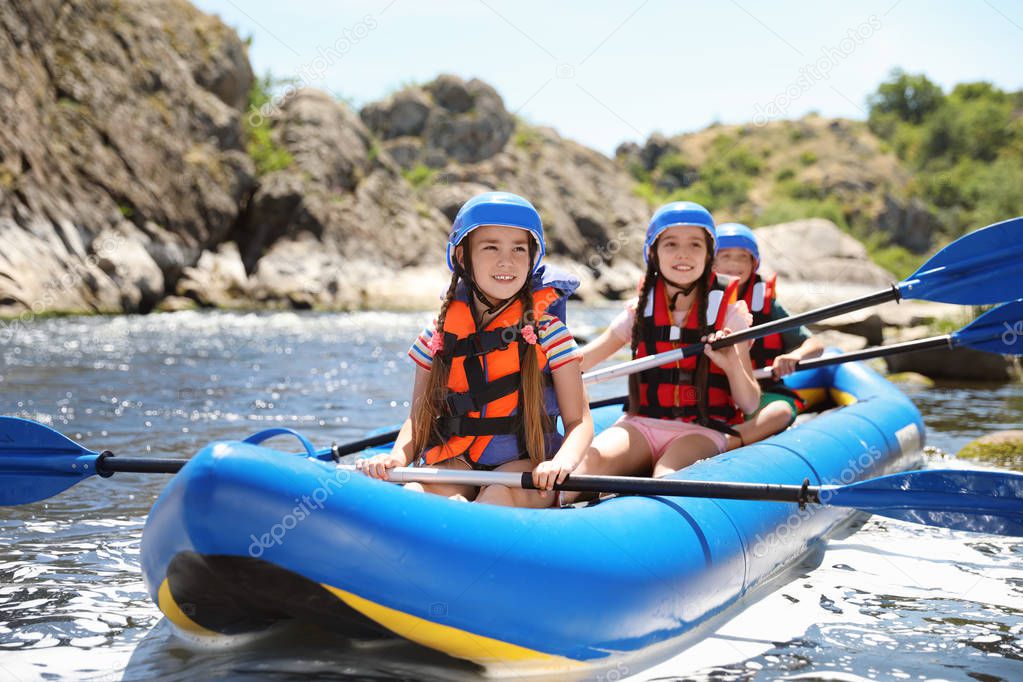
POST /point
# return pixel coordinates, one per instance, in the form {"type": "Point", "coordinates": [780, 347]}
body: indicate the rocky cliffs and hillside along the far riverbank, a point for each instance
{"type": "Point", "coordinates": [129, 179]}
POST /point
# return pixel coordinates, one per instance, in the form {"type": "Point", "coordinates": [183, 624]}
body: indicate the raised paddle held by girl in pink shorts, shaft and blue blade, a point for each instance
{"type": "Point", "coordinates": [981, 268]}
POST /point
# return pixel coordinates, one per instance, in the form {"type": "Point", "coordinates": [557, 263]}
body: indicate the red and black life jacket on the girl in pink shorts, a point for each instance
{"type": "Point", "coordinates": [670, 392]}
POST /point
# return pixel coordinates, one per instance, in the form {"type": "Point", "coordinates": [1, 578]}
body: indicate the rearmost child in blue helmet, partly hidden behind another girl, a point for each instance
{"type": "Point", "coordinates": [739, 256]}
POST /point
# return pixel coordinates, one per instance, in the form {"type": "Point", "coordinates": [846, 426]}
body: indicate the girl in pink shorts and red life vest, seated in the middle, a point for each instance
{"type": "Point", "coordinates": [680, 413]}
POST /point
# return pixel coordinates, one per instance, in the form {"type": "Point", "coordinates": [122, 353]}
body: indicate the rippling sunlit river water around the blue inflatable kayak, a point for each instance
{"type": "Point", "coordinates": [891, 602]}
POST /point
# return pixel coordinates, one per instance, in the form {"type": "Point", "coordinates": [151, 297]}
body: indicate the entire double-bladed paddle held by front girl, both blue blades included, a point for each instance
{"type": "Point", "coordinates": [39, 463]}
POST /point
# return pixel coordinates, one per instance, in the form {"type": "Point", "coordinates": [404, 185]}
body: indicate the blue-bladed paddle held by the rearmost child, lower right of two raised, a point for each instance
{"type": "Point", "coordinates": [999, 331]}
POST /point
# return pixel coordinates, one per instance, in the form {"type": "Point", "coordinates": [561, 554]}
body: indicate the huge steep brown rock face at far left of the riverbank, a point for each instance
{"type": "Point", "coordinates": [121, 123]}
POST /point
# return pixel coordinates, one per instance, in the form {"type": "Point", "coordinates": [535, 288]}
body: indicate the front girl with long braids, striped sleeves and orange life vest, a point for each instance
{"type": "Point", "coordinates": [498, 369]}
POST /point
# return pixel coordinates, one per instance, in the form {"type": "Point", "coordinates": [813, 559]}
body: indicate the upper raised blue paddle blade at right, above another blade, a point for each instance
{"type": "Point", "coordinates": [982, 268]}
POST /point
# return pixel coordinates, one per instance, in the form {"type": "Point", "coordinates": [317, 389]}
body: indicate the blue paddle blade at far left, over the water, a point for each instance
{"type": "Point", "coordinates": [37, 463]}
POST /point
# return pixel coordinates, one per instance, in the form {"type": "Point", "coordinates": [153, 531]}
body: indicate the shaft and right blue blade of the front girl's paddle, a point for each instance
{"type": "Point", "coordinates": [964, 501]}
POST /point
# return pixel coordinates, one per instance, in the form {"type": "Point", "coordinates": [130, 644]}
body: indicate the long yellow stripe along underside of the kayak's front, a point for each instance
{"type": "Point", "coordinates": [453, 642]}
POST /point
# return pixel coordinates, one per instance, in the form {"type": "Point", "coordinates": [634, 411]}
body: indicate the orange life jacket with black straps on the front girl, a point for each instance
{"type": "Point", "coordinates": [483, 416]}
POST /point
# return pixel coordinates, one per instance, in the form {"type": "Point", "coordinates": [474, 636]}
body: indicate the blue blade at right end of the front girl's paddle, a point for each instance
{"type": "Point", "coordinates": [964, 501]}
